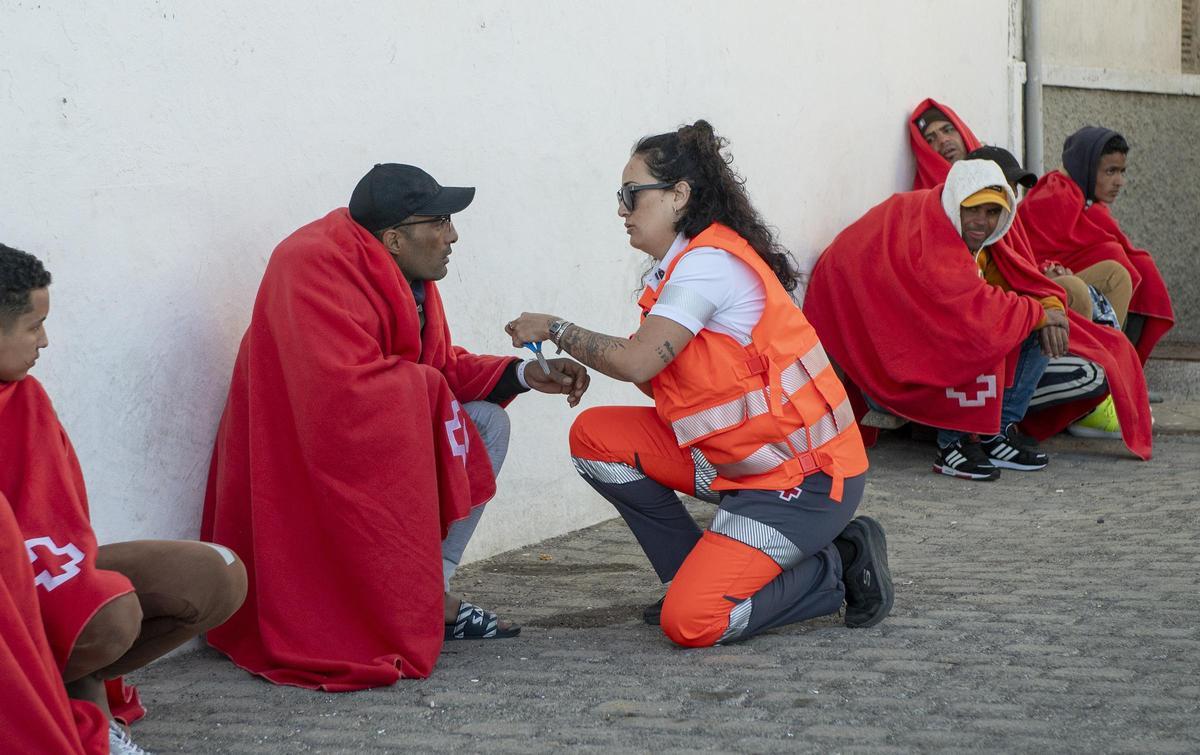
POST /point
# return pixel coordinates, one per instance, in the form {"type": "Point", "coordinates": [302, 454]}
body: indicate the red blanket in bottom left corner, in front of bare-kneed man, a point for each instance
{"type": "Point", "coordinates": [37, 716]}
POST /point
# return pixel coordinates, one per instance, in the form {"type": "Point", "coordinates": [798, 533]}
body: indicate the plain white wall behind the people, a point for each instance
{"type": "Point", "coordinates": [153, 154]}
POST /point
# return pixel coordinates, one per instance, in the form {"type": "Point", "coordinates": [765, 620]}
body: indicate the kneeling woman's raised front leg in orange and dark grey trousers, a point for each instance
{"type": "Point", "coordinates": [632, 459]}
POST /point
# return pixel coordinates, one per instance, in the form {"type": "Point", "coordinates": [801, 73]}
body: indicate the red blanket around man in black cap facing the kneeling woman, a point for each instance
{"type": "Point", "coordinates": [343, 458]}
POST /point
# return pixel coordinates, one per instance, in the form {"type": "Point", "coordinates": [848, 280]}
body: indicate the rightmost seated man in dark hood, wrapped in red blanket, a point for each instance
{"type": "Point", "coordinates": [1071, 227]}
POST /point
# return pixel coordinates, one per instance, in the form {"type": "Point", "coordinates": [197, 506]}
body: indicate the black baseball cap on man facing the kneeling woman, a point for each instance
{"type": "Point", "coordinates": [391, 193]}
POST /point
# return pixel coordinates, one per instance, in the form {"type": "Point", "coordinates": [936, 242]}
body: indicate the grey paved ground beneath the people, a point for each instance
{"type": "Point", "coordinates": [1054, 612]}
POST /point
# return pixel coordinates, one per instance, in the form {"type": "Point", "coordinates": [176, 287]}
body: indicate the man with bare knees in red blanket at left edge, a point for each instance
{"type": "Point", "coordinates": [106, 610]}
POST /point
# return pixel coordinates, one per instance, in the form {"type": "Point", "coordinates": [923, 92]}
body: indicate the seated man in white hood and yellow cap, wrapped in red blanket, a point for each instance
{"type": "Point", "coordinates": [963, 320]}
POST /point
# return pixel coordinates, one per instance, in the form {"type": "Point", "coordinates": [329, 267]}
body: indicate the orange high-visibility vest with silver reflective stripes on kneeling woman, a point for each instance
{"type": "Point", "coordinates": [767, 415]}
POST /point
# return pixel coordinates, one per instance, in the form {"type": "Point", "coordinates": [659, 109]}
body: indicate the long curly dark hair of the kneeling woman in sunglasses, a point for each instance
{"type": "Point", "coordinates": [695, 154]}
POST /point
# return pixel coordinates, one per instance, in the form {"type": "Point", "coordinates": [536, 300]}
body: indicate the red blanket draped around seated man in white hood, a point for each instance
{"type": "Point", "coordinates": [901, 307]}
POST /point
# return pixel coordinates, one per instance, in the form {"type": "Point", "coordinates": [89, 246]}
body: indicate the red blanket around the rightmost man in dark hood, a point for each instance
{"type": "Point", "coordinates": [1061, 229]}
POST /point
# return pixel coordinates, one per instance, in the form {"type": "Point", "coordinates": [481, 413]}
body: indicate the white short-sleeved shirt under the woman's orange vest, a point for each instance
{"type": "Point", "coordinates": [710, 290]}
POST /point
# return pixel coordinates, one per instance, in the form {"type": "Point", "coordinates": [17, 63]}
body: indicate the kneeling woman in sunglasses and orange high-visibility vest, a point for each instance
{"type": "Point", "coordinates": [748, 415]}
